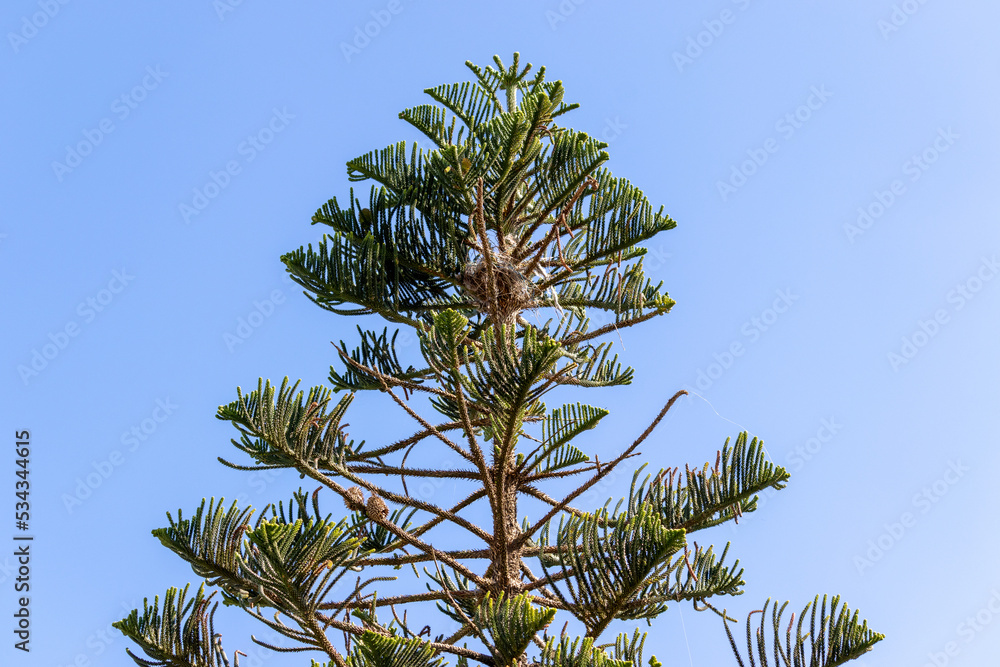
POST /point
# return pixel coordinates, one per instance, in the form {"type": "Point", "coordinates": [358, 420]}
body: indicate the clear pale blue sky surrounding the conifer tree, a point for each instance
{"type": "Point", "coordinates": [765, 129]}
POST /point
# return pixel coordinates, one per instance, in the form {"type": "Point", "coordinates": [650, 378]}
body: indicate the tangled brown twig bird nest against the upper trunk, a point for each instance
{"type": "Point", "coordinates": [514, 291]}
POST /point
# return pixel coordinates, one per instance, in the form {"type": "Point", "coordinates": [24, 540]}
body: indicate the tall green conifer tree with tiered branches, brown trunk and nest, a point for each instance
{"type": "Point", "coordinates": [510, 252]}
